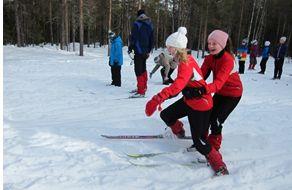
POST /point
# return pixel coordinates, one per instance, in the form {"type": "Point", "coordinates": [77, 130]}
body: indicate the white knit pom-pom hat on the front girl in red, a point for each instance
{"type": "Point", "coordinates": [178, 39]}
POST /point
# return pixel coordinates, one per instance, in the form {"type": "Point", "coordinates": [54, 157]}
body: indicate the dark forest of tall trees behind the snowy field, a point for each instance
{"type": "Point", "coordinates": [62, 22]}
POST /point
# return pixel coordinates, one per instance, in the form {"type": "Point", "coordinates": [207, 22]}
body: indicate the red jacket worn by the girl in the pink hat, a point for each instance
{"type": "Point", "coordinates": [226, 80]}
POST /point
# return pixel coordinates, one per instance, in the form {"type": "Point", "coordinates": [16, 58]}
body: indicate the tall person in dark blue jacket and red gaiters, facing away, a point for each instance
{"type": "Point", "coordinates": [141, 41]}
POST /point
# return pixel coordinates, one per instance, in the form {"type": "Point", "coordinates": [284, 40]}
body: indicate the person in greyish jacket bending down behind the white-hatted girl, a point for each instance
{"type": "Point", "coordinates": [168, 63]}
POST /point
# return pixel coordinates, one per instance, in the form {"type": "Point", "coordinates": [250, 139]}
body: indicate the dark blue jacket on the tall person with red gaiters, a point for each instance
{"type": "Point", "coordinates": [141, 39]}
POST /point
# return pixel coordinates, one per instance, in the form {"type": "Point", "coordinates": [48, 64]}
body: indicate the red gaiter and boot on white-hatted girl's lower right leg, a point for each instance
{"type": "Point", "coordinates": [215, 160]}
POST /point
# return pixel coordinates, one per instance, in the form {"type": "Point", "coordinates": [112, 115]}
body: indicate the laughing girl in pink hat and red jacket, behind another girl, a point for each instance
{"type": "Point", "coordinates": [226, 83]}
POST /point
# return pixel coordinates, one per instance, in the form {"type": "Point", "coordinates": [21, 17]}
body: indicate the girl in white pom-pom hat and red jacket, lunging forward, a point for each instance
{"type": "Point", "coordinates": [197, 109]}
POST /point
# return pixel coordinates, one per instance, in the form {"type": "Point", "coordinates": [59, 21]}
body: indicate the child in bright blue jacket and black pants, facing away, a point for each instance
{"type": "Point", "coordinates": [116, 58]}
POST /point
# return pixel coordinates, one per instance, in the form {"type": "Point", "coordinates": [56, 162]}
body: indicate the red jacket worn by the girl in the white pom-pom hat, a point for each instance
{"type": "Point", "coordinates": [189, 74]}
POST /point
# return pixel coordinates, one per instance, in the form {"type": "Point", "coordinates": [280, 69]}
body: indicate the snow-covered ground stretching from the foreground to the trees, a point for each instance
{"type": "Point", "coordinates": [57, 104]}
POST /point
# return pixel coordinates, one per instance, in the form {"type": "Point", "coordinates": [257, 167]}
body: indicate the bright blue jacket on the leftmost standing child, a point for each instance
{"type": "Point", "coordinates": [116, 53]}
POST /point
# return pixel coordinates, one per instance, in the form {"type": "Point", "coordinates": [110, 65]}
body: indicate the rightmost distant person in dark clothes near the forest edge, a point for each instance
{"type": "Point", "coordinates": [279, 57]}
